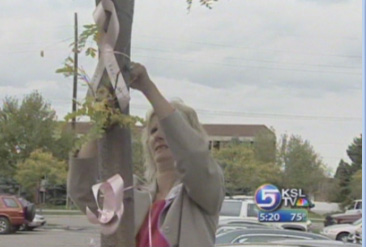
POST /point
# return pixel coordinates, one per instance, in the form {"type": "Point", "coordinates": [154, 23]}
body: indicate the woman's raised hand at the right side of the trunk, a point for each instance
{"type": "Point", "coordinates": [140, 79]}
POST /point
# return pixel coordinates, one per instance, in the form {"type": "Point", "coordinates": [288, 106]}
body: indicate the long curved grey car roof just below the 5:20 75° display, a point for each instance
{"type": "Point", "coordinates": [263, 235]}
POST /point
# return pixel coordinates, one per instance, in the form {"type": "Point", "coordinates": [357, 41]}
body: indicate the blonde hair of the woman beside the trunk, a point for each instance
{"type": "Point", "coordinates": [189, 114]}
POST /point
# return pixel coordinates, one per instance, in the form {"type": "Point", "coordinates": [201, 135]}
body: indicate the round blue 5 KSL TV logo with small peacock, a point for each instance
{"type": "Point", "coordinates": [269, 198]}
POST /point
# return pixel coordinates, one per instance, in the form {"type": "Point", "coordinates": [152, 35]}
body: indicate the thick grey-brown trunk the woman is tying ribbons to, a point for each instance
{"type": "Point", "coordinates": [114, 149]}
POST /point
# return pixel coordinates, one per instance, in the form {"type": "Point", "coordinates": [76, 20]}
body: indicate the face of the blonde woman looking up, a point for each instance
{"type": "Point", "coordinates": [157, 143]}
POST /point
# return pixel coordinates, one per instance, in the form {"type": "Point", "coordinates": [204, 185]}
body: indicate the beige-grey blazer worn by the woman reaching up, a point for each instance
{"type": "Point", "coordinates": [195, 202]}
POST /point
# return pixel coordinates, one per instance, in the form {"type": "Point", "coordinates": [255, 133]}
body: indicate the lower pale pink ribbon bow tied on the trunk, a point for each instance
{"type": "Point", "coordinates": [109, 216]}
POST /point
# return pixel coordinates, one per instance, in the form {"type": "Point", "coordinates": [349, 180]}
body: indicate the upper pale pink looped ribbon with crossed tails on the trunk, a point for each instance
{"type": "Point", "coordinates": [107, 59]}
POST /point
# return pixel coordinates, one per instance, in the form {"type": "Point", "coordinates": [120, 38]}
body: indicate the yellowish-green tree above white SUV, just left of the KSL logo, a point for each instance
{"type": "Point", "coordinates": [242, 171]}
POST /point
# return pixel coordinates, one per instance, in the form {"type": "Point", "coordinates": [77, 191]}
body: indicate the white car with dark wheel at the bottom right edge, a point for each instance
{"type": "Point", "coordinates": [341, 231]}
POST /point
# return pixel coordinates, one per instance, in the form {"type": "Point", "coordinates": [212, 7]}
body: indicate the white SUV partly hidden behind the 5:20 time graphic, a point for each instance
{"type": "Point", "coordinates": [247, 210]}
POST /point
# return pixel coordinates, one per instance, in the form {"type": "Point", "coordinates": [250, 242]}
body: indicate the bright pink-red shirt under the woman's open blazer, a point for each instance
{"type": "Point", "coordinates": [158, 239]}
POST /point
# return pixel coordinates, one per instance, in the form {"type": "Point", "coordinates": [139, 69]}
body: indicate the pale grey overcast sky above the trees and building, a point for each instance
{"type": "Point", "coordinates": [294, 65]}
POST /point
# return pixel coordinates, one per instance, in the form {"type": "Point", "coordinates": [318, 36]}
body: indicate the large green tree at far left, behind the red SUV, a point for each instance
{"type": "Point", "coordinates": [26, 127]}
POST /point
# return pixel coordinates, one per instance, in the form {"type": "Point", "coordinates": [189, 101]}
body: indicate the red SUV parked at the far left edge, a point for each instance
{"type": "Point", "coordinates": [11, 214]}
